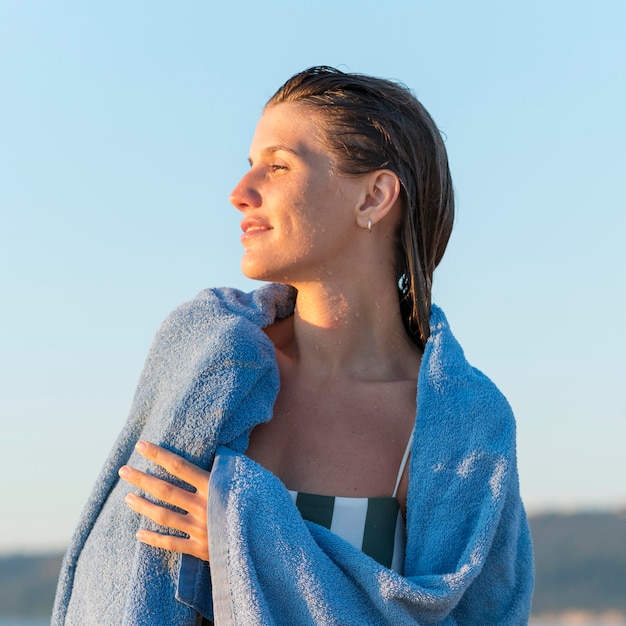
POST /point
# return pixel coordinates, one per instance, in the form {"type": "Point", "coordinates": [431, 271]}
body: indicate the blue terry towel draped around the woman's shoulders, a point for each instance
{"type": "Point", "coordinates": [211, 376]}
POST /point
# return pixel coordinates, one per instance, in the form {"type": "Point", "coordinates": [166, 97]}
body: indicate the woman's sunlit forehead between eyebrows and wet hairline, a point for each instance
{"type": "Point", "coordinates": [295, 127]}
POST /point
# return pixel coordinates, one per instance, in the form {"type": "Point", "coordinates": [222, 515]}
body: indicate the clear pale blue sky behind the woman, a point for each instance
{"type": "Point", "coordinates": [124, 125]}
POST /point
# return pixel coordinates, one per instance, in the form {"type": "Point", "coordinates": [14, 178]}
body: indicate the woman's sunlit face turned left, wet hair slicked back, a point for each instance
{"type": "Point", "coordinates": [298, 215]}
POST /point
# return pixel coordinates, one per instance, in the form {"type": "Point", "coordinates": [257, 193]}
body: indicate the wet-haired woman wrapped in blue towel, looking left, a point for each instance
{"type": "Point", "coordinates": [309, 385]}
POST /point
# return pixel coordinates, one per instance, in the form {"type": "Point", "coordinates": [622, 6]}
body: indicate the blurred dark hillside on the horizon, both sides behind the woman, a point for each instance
{"type": "Point", "coordinates": [580, 563]}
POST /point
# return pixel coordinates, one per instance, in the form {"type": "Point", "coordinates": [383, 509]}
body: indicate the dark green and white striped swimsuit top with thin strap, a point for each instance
{"type": "Point", "coordinates": [373, 525]}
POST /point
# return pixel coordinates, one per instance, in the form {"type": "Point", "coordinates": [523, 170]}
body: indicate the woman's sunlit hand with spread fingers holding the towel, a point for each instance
{"type": "Point", "coordinates": [193, 523]}
